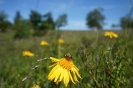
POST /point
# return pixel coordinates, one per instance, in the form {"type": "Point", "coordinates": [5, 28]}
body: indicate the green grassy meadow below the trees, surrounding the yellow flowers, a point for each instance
{"type": "Point", "coordinates": [103, 62]}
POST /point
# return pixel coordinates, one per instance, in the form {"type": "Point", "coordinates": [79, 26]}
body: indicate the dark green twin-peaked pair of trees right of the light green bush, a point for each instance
{"type": "Point", "coordinates": [41, 23]}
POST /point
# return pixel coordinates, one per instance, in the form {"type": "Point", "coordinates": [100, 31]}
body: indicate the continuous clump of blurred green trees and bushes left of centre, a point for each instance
{"type": "Point", "coordinates": [37, 24]}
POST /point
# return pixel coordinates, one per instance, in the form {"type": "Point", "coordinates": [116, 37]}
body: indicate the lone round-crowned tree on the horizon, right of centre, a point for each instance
{"type": "Point", "coordinates": [95, 19]}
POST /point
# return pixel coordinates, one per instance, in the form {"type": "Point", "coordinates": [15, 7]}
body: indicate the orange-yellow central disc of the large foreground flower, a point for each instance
{"type": "Point", "coordinates": [66, 63]}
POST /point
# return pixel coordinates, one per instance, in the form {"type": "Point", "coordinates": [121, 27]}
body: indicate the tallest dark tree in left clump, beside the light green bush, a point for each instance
{"type": "Point", "coordinates": [35, 18]}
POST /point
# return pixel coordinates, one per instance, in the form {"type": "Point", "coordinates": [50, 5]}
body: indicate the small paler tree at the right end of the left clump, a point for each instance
{"type": "Point", "coordinates": [61, 21]}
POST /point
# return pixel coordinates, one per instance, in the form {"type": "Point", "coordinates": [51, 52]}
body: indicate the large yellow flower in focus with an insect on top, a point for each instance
{"type": "Point", "coordinates": [63, 69]}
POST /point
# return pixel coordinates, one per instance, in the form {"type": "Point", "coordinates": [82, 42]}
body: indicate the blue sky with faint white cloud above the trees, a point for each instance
{"type": "Point", "coordinates": [76, 10]}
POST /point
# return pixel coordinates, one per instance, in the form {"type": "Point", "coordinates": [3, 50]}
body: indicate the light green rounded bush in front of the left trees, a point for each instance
{"type": "Point", "coordinates": [23, 29]}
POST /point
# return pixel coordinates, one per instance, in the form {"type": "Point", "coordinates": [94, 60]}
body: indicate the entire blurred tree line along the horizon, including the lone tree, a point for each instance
{"type": "Point", "coordinates": [38, 24]}
